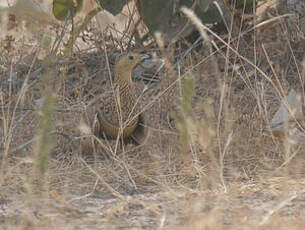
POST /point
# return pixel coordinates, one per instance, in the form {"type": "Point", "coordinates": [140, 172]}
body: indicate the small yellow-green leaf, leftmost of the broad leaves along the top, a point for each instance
{"type": "Point", "coordinates": [63, 8]}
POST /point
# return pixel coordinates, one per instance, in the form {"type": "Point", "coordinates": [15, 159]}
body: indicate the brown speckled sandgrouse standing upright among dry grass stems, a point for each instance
{"type": "Point", "coordinates": [118, 112]}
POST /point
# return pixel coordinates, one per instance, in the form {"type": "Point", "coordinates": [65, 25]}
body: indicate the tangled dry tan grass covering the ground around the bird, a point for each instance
{"type": "Point", "coordinates": [207, 163]}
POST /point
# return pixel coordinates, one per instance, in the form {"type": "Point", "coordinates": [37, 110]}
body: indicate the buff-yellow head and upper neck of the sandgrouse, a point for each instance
{"type": "Point", "coordinates": [125, 65]}
